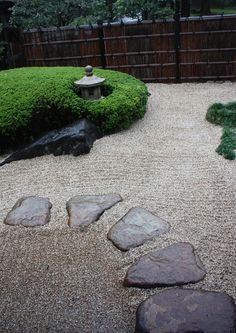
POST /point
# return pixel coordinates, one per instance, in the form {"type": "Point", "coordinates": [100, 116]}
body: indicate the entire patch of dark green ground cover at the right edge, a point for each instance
{"type": "Point", "coordinates": [225, 114]}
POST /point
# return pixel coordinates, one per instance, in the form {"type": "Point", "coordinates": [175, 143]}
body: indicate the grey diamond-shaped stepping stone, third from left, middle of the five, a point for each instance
{"type": "Point", "coordinates": [135, 228]}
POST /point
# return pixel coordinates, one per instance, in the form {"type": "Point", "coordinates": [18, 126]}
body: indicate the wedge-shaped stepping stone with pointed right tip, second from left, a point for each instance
{"type": "Point", "coordinates": [86, 209]}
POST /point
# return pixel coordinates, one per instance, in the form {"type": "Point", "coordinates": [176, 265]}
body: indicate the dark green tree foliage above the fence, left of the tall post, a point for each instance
{"type": "Point", "coordinates": [35, 13]}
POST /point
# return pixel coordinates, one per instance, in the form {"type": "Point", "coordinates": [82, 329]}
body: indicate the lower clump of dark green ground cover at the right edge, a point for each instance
{"type": "Point", "coordinates": [227, 147]}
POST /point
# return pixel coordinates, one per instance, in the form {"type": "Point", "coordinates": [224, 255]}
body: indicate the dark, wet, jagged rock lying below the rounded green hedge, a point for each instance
{"type": "Point", "coordinates": [75, 139]}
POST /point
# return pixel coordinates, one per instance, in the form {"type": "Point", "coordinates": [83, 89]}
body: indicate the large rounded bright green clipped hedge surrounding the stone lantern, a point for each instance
{"type": "Point", "coordinates": [37, 99]}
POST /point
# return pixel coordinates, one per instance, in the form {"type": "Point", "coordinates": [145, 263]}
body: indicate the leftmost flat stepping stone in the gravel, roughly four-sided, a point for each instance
{"type": "Point", "coordinates": [30, 212]}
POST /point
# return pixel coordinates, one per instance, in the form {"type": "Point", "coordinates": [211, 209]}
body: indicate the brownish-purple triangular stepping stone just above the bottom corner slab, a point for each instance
{"type": "Point", "coordinates": [176, 264]}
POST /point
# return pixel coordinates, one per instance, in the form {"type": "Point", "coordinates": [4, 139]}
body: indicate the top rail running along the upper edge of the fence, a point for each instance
{"type": "Point", "coordinates": [130, 23]}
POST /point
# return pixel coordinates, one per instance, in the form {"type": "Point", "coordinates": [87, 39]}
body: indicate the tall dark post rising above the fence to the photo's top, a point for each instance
{"type": "Point", "coordinates": [177, 41]}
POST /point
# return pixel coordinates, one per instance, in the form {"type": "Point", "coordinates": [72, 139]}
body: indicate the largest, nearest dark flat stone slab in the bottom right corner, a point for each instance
{"type": "Point", "coordinates": [185, 310]}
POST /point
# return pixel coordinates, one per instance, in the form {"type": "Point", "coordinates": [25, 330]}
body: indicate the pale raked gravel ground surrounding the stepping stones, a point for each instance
{"type": "Point", "coordinates": [56, 279]}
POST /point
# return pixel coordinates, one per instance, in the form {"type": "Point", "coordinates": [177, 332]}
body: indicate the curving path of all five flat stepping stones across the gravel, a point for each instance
{"type": "Point", "coordinates": [173, 310]}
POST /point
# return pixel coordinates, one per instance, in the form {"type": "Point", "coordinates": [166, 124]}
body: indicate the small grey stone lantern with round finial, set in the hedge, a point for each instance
{"type": "Point", "coordinates": [90, 85]}
